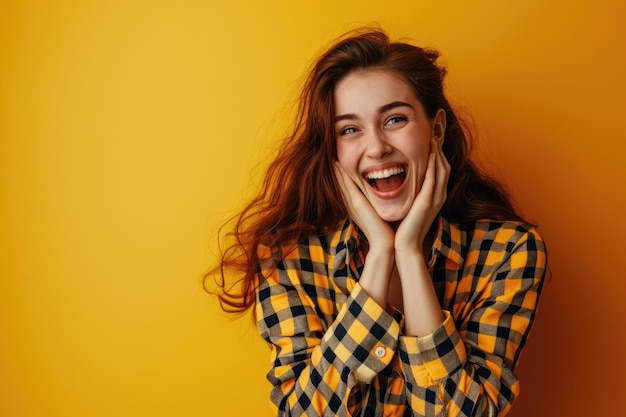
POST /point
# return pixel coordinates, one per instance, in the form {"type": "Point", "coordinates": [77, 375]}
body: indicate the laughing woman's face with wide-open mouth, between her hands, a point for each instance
{"type": "Point", "coordinates": [383, 138]}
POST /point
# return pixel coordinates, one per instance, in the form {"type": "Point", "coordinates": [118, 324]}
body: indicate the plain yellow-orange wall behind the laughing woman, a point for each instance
{"type": "Point", "coordinates": [128, 129]}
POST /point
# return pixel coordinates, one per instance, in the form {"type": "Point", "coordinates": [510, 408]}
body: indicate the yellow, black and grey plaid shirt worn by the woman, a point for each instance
{"type": "Point", "coordinates": [335, 351]}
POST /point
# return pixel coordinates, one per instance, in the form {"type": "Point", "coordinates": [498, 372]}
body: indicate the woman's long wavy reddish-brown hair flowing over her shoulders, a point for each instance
{"type": "Point", "coordinates": [299, 196]}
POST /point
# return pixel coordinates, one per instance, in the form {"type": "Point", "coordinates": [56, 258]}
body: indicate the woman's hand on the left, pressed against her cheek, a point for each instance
{"type": "Point", "coordinates": [378, 232]}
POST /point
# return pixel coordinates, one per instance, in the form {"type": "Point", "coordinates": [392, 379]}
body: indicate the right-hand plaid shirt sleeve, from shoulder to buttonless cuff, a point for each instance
{"type": "Point", "coordinates": [469, 371]}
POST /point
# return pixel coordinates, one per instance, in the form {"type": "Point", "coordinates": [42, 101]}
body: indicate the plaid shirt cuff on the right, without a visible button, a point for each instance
{"type": "Point", "coordinates": [432, 358]}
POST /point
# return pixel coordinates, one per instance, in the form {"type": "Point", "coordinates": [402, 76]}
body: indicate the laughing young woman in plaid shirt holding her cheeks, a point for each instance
{"type": "Point", "coordinates": [388, 275]}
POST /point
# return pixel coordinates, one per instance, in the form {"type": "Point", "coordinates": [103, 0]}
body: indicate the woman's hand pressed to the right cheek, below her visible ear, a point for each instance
{"type": "Point", "coordinates": [412, 231]}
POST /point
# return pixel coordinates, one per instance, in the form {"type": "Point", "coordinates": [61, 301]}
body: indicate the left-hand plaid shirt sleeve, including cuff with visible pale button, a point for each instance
{"type": "Point", "coordinates": [314, 368]}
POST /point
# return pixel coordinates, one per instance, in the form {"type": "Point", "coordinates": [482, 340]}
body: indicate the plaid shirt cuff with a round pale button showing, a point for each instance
{"type": "Point", "coordinates": [363, 336]}
